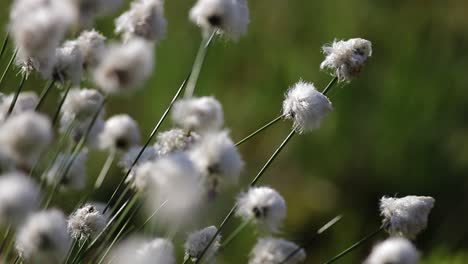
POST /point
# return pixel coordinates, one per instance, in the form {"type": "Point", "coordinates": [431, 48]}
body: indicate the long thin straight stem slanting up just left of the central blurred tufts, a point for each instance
{"type": "Point", "coordinates": [148, 141]}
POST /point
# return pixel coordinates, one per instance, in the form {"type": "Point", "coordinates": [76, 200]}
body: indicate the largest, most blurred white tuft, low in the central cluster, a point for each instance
{"type": "Point", "coordinates": [172, 178]}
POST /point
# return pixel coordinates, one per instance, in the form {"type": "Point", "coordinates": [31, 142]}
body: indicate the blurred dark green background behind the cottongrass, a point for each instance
{"type": "Point", "coordinates": [400, 128]}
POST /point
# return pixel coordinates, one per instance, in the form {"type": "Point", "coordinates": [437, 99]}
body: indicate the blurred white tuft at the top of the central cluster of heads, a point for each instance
{"type": "Point", "coordinates": [200, 114]}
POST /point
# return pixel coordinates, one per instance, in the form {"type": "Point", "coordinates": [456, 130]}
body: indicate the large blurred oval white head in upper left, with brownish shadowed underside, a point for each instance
{"type": "Point", "coordinates": [124, 67]}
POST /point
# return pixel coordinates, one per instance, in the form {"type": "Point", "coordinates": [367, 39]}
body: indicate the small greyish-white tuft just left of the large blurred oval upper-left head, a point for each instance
{"type": "Point", "coordinates": [68, 63]}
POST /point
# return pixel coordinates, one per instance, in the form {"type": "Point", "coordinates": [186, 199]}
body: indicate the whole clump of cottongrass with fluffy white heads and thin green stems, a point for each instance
{"type": "Point", "coordinates": [170, 176]}
